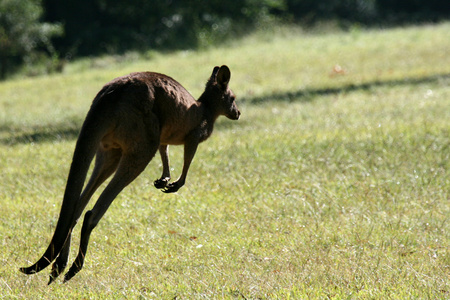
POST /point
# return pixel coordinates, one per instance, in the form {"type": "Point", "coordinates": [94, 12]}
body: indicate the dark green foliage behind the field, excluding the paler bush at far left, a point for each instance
{"type": "Point", "coordinates": [111, 26]}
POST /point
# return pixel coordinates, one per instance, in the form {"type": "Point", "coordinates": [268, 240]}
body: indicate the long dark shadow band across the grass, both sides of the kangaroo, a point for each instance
{"type": "Point", "coordinates": [57, 132]}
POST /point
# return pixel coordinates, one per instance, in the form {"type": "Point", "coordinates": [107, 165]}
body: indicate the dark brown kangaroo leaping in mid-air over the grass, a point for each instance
{"type": "Point", "coordinates": [130, 119]}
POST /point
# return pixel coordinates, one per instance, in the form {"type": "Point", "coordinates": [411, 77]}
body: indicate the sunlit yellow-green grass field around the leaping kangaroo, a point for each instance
{"type": "Point", "coordinates": [333, 185]}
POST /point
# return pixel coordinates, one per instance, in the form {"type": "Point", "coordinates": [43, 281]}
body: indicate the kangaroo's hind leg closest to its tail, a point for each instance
{"type": "Point", "coordinates": [106, 163]}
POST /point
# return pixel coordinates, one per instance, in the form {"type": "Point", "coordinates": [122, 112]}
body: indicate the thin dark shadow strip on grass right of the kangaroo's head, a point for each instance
{"type": "Point", "coordinates": [306, 95]}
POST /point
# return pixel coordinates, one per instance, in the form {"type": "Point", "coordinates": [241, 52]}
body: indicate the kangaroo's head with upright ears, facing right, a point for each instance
{"type": "Point", "coordinates": [220, 96]}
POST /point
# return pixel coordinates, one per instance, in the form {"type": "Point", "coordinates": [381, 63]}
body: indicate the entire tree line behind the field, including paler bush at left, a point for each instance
{"type": "Point", "coordinates": [53, 30]}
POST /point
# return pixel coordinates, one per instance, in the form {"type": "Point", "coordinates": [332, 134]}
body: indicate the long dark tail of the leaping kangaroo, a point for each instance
{"type": "Point", "coordinates": [90, 136]}
